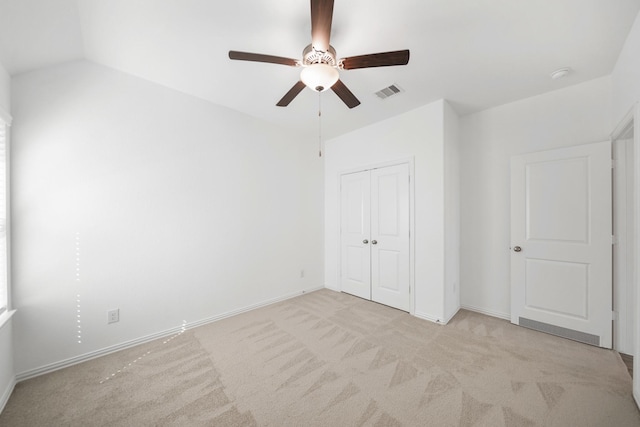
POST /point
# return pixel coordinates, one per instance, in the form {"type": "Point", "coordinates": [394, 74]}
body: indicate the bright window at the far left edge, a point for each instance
{"type": "Point", "coordinates": [4, 282]}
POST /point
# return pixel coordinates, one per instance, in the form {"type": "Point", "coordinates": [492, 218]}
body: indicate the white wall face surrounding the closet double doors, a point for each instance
{"type": "Point", "coordinates": [418, 134]}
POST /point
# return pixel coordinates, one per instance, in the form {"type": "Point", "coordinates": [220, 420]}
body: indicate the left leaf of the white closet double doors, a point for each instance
{"type": "Point", "coordinates": [355, 272]}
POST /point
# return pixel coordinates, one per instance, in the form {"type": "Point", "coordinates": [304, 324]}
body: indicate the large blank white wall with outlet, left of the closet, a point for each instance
{"type": "Point", "coordinates": [180, 211]}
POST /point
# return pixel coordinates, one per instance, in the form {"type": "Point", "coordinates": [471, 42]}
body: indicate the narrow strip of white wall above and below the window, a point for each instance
{"type": "Point", "coordinates": [7, 372]}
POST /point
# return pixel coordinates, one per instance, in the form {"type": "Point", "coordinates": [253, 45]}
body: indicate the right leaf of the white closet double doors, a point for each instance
{"type": "Point", "coordinates": [390, 236]}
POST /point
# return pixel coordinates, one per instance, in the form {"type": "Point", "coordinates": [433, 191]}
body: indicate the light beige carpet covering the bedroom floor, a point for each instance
{"type": "Point", "coordinates": [329, 359]}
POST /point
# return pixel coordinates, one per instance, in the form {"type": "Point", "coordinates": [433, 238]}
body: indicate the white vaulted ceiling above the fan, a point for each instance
{"type": "Point", "coordinates": [475, 53]}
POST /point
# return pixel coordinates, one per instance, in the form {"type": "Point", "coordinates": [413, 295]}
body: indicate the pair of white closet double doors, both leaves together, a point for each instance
{"type": "Point", "coordinates": [374, 241]}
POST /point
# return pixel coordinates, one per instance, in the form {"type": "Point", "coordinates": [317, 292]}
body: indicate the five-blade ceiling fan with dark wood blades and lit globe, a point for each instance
{"type": "Point", "coordinates": [320, 66]}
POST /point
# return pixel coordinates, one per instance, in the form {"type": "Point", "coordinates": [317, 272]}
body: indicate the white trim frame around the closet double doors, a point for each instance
{"type": "Point", "coordinates": [410, 161]}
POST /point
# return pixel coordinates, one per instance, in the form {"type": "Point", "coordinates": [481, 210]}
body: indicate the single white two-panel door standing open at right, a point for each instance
{"type": "Point", "coordinates": [561, 265]}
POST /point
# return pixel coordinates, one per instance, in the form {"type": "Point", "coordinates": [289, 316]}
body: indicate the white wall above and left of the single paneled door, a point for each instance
{"type": "Point", "coordinates": [575, 115]}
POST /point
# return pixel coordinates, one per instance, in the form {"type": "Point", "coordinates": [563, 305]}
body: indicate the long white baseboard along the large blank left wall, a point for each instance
{"type": "Point", "coordinates": [132, 343]}
